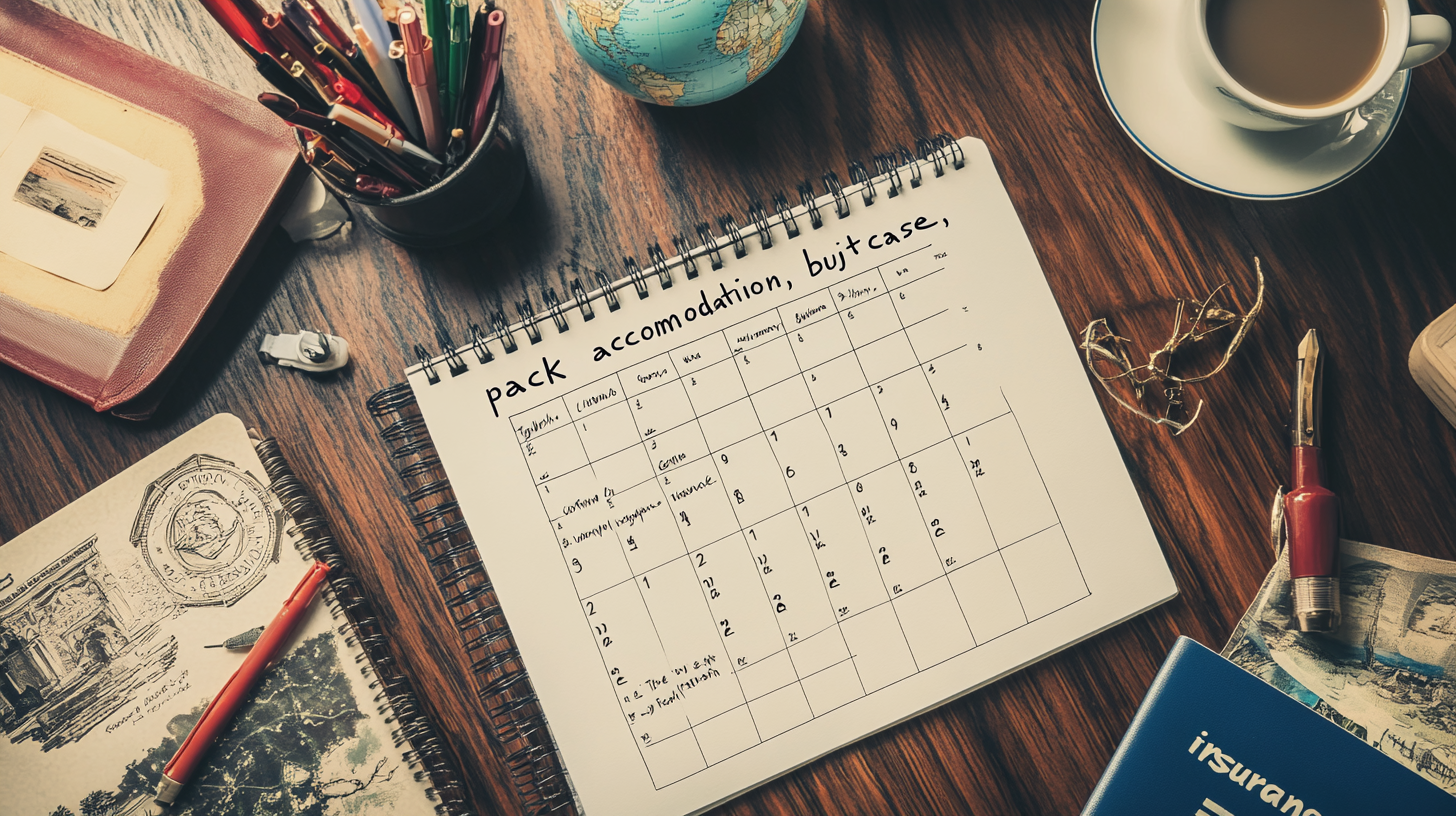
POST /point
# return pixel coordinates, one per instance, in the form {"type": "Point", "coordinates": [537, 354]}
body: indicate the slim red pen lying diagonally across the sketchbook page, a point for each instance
{"type": "Point", "coordinates": [219, 713]}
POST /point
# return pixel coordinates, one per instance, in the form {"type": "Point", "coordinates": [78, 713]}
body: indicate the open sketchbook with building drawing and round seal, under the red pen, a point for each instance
{"type": "Point", "coordinates": [107, 614]}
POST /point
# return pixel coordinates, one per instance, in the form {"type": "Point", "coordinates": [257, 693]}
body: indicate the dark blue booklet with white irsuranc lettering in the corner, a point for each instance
{"type": "Point", "coordinates": [1212, 739]}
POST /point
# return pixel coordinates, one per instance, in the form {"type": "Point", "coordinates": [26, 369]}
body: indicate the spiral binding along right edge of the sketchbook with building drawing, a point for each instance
{"type": "Point", "coordinates": [394, 697]}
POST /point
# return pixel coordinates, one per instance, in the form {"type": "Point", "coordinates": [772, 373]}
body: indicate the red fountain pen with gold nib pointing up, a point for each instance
{"type": "Point", "coordinates": [1311, 511]}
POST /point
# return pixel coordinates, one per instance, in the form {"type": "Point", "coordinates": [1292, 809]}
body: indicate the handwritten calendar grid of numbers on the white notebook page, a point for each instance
{"type": "Point", "coordinates": [788, 515]}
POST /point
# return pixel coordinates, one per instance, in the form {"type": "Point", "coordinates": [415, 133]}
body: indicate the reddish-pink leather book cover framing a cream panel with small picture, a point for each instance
{"type": "Point", "coordinates": [248, 165]}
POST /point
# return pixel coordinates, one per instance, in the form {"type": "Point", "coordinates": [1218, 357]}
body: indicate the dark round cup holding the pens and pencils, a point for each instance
{"type": "Point", "coordinates": [474, 197]}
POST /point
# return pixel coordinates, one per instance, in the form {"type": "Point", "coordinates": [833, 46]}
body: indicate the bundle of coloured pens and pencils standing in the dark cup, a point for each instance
{"type": "Point", "coordinates": [349, 95]}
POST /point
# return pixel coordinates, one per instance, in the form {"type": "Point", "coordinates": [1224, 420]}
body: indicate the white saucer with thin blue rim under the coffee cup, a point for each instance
{"type": "Point", "coordinates": [1135, 62]}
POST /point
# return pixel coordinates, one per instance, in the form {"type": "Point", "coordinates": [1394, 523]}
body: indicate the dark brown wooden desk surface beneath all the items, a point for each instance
{"type": "Point", "coordinates": [1369, 263]}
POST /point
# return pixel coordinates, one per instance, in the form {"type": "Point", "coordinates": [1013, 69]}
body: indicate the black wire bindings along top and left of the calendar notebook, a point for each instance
{"type": "Point", "coordinates": [448, 546]}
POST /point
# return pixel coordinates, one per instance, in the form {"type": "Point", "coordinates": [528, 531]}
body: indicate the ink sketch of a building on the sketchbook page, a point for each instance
{"type": "Point", "coordinates": [74, 649]}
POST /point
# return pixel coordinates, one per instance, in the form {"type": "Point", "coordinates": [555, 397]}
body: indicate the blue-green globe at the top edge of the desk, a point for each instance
{"type": "Point", "coordinates": [681, 52]}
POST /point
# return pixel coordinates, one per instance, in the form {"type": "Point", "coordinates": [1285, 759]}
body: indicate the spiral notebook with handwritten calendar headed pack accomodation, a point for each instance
{"type": "Point", "coordinates": [816, 474]}
